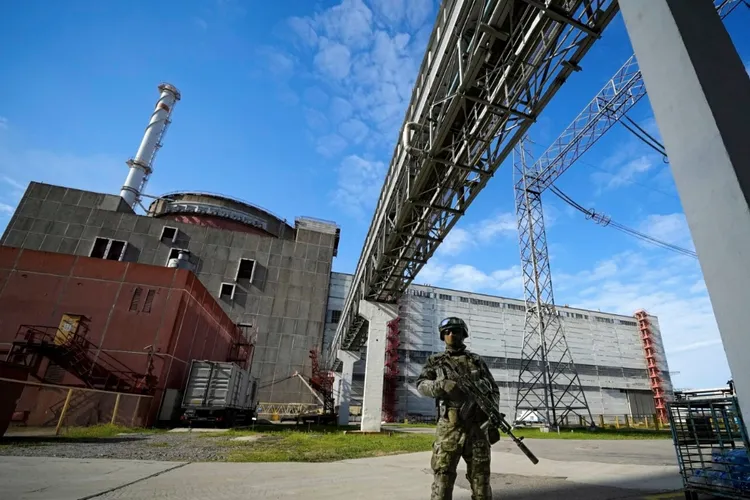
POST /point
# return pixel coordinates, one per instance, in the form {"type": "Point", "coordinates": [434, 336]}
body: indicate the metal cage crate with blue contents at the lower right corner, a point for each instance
{"type": "Point", "coordinates": [711, 442]}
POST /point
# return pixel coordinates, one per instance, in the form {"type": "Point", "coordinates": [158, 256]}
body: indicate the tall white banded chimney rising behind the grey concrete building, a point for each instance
{"type": "Point", "coordinates": [142, 165]}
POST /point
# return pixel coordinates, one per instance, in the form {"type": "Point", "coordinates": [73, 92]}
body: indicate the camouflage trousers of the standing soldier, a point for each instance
{"type": "Point", "coordinates": [452, 442]}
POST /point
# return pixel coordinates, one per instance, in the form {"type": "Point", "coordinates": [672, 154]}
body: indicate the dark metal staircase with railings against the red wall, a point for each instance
{"type": "Point", "coordinates": [78, 356]}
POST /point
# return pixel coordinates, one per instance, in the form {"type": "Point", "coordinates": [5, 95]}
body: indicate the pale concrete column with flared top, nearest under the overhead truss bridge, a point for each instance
{"type": "Point", "coordinates": [372, 397]}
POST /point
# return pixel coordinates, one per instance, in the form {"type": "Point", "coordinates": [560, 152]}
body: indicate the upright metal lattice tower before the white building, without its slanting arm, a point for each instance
{"type": "Point", "coordinates": [548, 382]}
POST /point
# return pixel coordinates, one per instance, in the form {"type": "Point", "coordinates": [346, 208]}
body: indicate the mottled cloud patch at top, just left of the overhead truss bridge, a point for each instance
{"type": "Point", "coordinates": [366, 57]}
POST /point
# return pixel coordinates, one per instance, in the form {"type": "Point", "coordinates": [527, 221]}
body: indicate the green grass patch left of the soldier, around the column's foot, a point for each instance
{"type": "Point", "coordinates": [329, 445]}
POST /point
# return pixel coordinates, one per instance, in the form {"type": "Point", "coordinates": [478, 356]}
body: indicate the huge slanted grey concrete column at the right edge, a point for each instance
{"type": "Point", "coordinates": [700, 94]}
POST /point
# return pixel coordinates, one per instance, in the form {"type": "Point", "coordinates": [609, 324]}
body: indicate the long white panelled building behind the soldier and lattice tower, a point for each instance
{"type": "Point", "coordinates": [606, 348]}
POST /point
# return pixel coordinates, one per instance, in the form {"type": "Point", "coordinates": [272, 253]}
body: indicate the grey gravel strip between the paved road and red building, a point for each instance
{"type": "Point", "coordinates": [176, 447]}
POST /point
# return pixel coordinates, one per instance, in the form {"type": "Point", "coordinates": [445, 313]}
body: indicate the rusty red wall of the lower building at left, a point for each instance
{"type": "Point", "coordinates": [182, 322]}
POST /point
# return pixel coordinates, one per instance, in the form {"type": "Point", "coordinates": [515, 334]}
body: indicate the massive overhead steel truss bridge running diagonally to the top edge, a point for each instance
{"type": "Point", "coordinates": [490, 68]}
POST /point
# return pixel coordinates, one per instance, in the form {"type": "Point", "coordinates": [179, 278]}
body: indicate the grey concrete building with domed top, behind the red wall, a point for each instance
{"type": "Point", "coordinates": [261, 270]}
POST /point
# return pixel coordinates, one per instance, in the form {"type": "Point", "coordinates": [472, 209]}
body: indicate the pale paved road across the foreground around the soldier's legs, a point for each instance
{"type": "Point", "coordinates": [567, 469]}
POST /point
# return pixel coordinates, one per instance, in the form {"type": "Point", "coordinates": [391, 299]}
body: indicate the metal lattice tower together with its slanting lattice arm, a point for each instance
{"type": "Point", "coordinates": [544, 336]}
